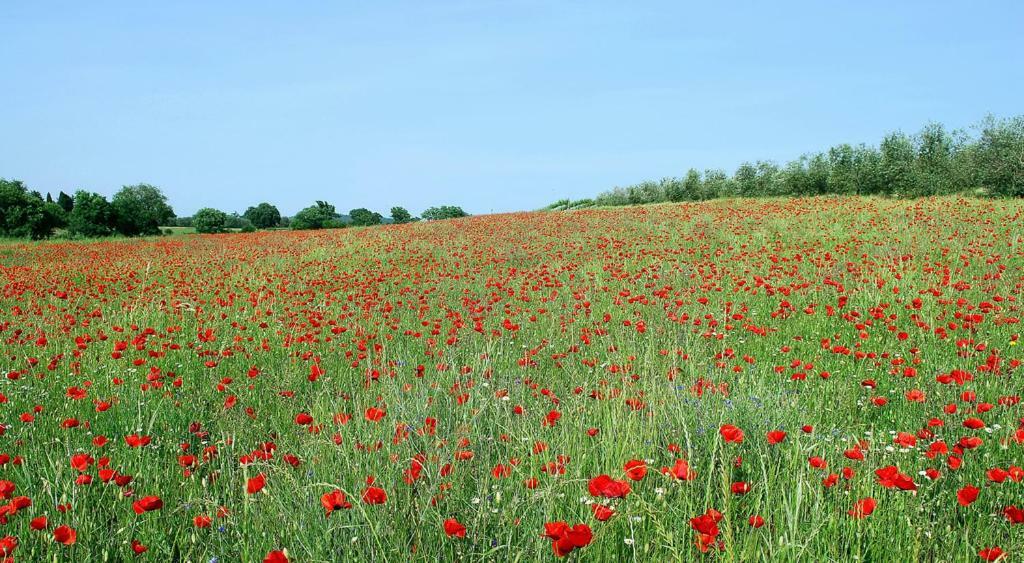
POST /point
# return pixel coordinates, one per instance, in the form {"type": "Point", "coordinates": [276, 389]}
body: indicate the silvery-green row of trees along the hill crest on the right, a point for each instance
{"type": "Point", "coordinates": [988, 160]}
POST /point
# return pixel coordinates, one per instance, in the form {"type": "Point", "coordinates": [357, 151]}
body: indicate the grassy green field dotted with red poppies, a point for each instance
{"type": "Point", "coordinates": [831, 379]}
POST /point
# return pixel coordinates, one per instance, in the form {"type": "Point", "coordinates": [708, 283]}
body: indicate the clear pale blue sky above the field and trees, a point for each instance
{"type": "Point", "coordinates": [492, 106]}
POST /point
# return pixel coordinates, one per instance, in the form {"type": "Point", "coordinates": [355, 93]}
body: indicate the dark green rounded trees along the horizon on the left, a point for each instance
{"type": "Point", "coordinates": [144, 210]}
